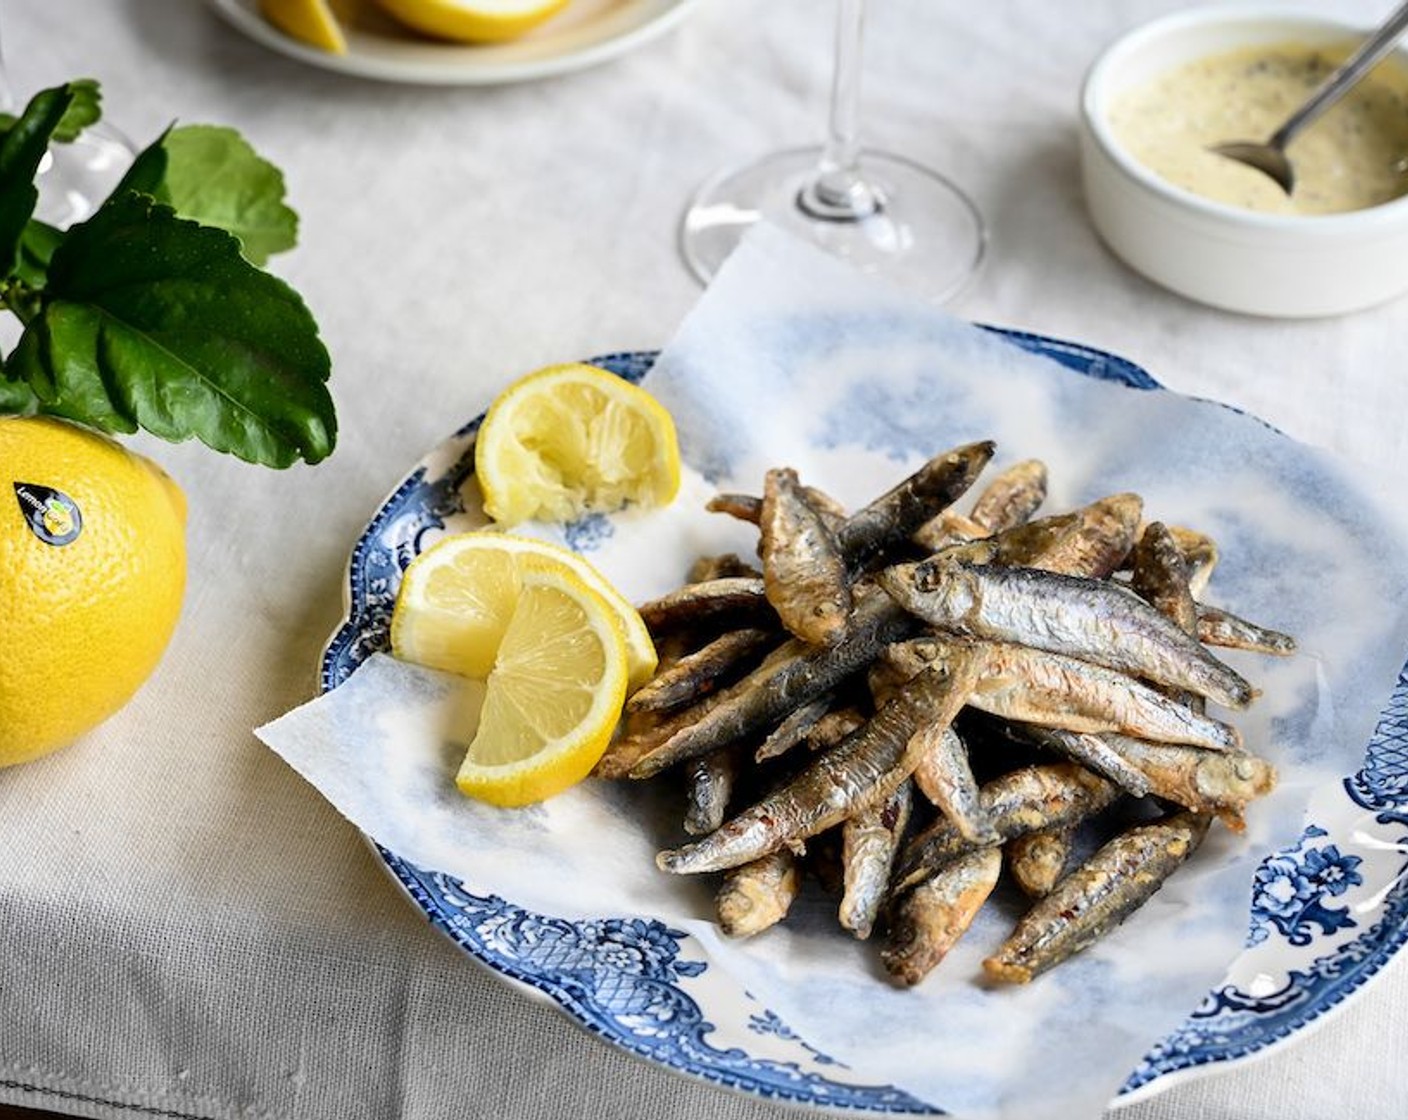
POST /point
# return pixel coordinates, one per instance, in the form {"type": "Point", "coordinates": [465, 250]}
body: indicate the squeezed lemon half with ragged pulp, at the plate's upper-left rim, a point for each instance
{"type": "Point", "coordinates": [571, 440]}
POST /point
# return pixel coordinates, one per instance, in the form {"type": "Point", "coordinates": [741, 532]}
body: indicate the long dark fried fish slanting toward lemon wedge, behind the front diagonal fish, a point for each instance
{"type": "Point", "coordinates": [765, 697]}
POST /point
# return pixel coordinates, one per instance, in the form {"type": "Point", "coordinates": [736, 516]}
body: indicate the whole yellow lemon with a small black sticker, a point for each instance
{"type": "Point", "coordinates": [92, 574]}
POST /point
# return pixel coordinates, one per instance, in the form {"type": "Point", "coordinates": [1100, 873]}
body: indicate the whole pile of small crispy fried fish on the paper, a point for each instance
{"type": "Point", "coordinates": [906, 701]}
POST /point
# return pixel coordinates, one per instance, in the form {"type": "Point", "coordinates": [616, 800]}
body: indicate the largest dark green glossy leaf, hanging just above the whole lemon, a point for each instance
{"type": "Point", "coordinates": [157, 322]}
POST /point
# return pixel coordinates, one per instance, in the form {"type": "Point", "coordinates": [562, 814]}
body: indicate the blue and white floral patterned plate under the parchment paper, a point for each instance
{"type": "Point", "coordinates": [1327, 914]}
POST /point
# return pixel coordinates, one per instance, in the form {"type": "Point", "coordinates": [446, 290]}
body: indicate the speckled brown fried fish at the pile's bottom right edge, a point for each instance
{"type": "Point", "coordinates": [1096, 897]}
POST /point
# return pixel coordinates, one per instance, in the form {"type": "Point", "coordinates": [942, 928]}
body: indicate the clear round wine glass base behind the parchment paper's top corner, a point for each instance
{"type": "Point", "coordinates": [926, 233]}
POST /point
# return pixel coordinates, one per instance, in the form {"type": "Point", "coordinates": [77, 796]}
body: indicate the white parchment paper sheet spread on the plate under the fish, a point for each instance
{"type": "Point", "coordinates": [792, 359]}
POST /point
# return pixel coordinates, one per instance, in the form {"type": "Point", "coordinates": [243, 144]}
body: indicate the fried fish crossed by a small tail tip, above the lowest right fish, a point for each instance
{"type": "Point", "coordinates": [1019, 802]}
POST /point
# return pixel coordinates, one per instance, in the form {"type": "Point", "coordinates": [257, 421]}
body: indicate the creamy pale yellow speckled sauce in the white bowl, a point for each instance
{"type": "Point", "coordinates": [1352, 158]}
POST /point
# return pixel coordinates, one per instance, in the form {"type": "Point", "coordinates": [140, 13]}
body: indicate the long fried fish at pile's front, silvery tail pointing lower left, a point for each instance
{"type": "Point", "coordinates": [862, 771]}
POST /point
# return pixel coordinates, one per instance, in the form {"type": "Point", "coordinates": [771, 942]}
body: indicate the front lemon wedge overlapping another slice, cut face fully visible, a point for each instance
{"type": "Point", "coordinates": [554, 695]}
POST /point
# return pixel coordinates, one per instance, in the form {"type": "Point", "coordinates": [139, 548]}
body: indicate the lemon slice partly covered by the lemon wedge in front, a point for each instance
{"type": "Point", "coordinates": [460, 595]}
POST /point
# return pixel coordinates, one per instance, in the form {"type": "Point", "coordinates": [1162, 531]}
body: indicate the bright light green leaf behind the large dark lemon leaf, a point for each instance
{"type": "Point", "coordinates": [216, 178]}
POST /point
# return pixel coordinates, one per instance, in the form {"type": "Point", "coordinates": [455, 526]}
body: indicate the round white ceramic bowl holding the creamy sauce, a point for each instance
{"type": "Point", "coordinates": [1223, 256]}
